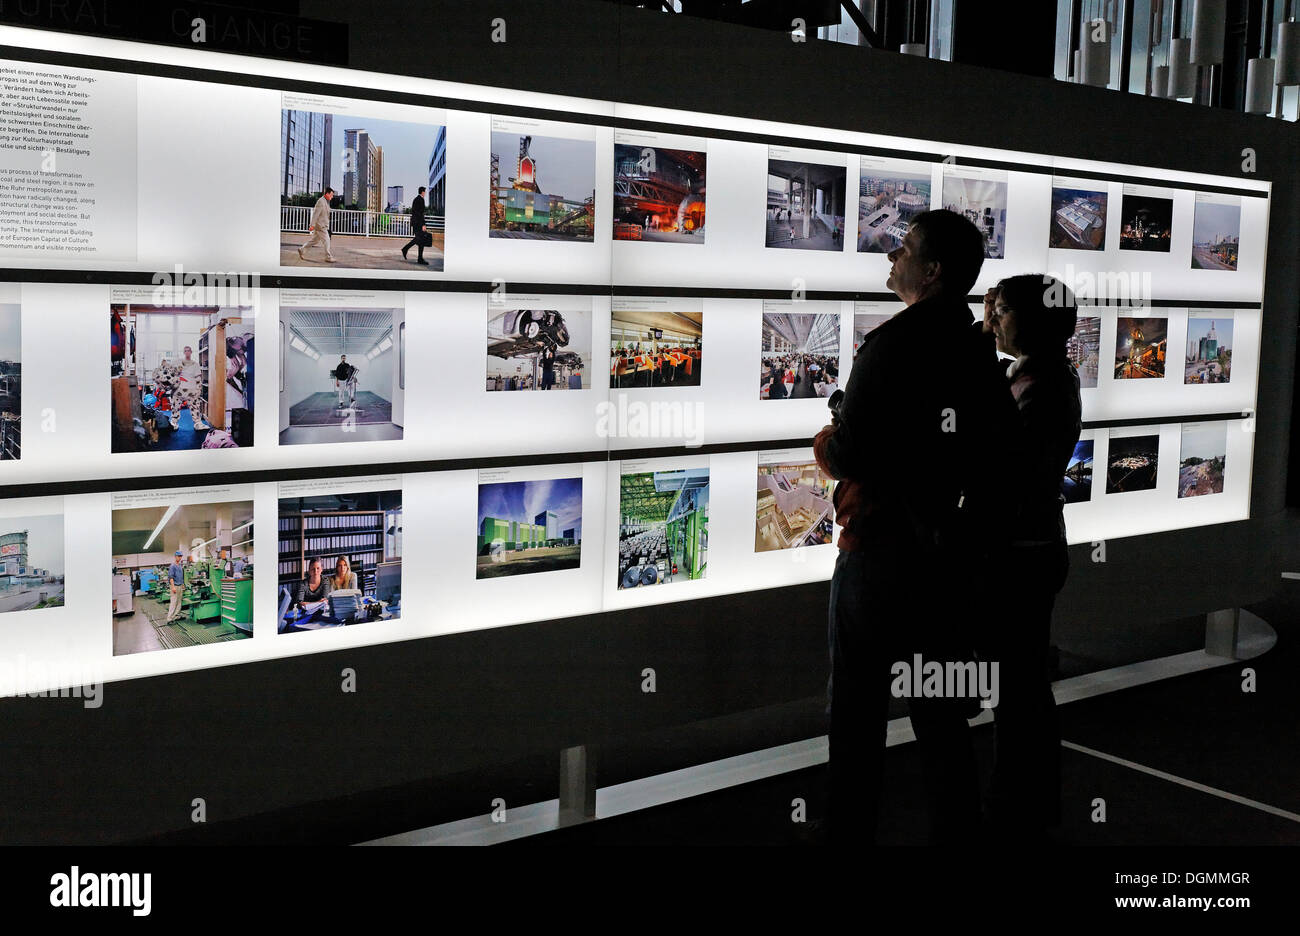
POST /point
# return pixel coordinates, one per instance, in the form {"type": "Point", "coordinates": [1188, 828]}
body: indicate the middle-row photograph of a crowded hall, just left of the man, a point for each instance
{"type": "Point", "coordinates": [800, 357]}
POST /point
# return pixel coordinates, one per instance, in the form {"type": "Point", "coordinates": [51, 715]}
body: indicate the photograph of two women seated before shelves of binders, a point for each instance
{"type": "Point", "coordinates": [340, 557]}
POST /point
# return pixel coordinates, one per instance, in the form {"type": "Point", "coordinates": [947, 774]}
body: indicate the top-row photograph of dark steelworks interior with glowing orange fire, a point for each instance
{"type": "Point", "coordinates": [658, 194]}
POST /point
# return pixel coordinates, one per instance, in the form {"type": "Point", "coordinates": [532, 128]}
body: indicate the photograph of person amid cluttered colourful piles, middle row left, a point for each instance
{"type": "Point", "coordinates": [181, 378]}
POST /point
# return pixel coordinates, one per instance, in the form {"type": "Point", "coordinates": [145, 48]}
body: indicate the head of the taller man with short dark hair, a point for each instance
{"type": "Point", "coordinates": [942, 254]}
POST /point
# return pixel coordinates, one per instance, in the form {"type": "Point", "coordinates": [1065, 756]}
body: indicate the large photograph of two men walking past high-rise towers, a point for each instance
{"type": "Point", "coordinates": [359, 192]}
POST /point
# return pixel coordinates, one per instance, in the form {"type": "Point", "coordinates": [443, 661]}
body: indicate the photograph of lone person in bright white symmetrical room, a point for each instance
{"type": "Point", "coordinates": [343, 375]}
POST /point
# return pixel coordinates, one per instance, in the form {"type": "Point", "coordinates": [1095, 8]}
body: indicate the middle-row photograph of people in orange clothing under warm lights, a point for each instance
{"type": "Point", "coordinates": [656, 344]}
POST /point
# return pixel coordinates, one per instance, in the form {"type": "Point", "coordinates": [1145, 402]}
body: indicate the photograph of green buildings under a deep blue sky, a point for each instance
{"type": "Point", "coordinates": [528, 527]}
